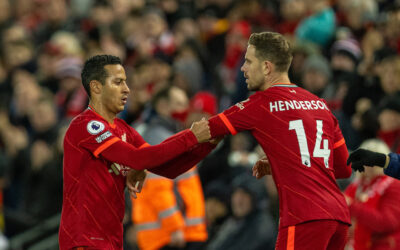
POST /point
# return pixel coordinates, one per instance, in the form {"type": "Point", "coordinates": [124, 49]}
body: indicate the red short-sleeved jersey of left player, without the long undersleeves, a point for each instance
{"type": "Point", "coordinates": [93, 200]}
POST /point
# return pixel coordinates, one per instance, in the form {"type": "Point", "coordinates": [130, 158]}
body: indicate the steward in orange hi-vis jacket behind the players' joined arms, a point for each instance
{"type": "Point", "coordinates": [175, 208]}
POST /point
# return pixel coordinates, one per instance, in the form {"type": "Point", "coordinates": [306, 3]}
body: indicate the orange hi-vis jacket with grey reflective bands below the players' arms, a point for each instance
{"type": "Point", "coordinates": [165, 206]}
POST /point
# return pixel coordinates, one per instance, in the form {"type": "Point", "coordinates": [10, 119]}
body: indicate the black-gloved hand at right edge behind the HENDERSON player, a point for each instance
{"type": "Point", "coordinates": [364, 158]}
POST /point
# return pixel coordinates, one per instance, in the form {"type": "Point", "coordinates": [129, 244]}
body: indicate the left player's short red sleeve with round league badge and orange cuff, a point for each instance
{"type": "Point", "coordinates": [94, 136]}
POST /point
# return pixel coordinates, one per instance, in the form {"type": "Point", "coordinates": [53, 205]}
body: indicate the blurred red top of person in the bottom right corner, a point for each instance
{"type": "Point", "coordinates": [376, 219]}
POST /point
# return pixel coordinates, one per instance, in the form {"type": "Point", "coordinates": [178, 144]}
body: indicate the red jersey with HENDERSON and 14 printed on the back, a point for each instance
{"type": "Point", "coordinates": [300, 136]}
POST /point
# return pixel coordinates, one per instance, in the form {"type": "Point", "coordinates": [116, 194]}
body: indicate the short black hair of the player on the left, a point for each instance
{"type": "Point", "coordinates": [94, 69]}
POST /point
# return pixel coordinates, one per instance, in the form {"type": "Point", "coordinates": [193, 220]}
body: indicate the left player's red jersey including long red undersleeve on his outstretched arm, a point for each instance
{"type": "Point", "coordinates": [93, 197]}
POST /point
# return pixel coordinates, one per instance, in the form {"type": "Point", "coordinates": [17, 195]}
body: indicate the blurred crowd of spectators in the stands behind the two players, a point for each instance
{"type": "Point", "coordinates": [345, 51]}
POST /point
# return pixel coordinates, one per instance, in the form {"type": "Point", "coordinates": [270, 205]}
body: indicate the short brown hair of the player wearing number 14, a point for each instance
{"type": "Point", "coordinates": [273, 47]}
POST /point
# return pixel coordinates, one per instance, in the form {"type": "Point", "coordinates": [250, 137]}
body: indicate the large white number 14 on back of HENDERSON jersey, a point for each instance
{"type": "Point", "coordinates": [321, 146]}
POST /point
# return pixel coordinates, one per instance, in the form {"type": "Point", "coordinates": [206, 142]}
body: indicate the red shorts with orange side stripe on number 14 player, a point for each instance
{"type": "Point", "coordinates": [318, 235]}
